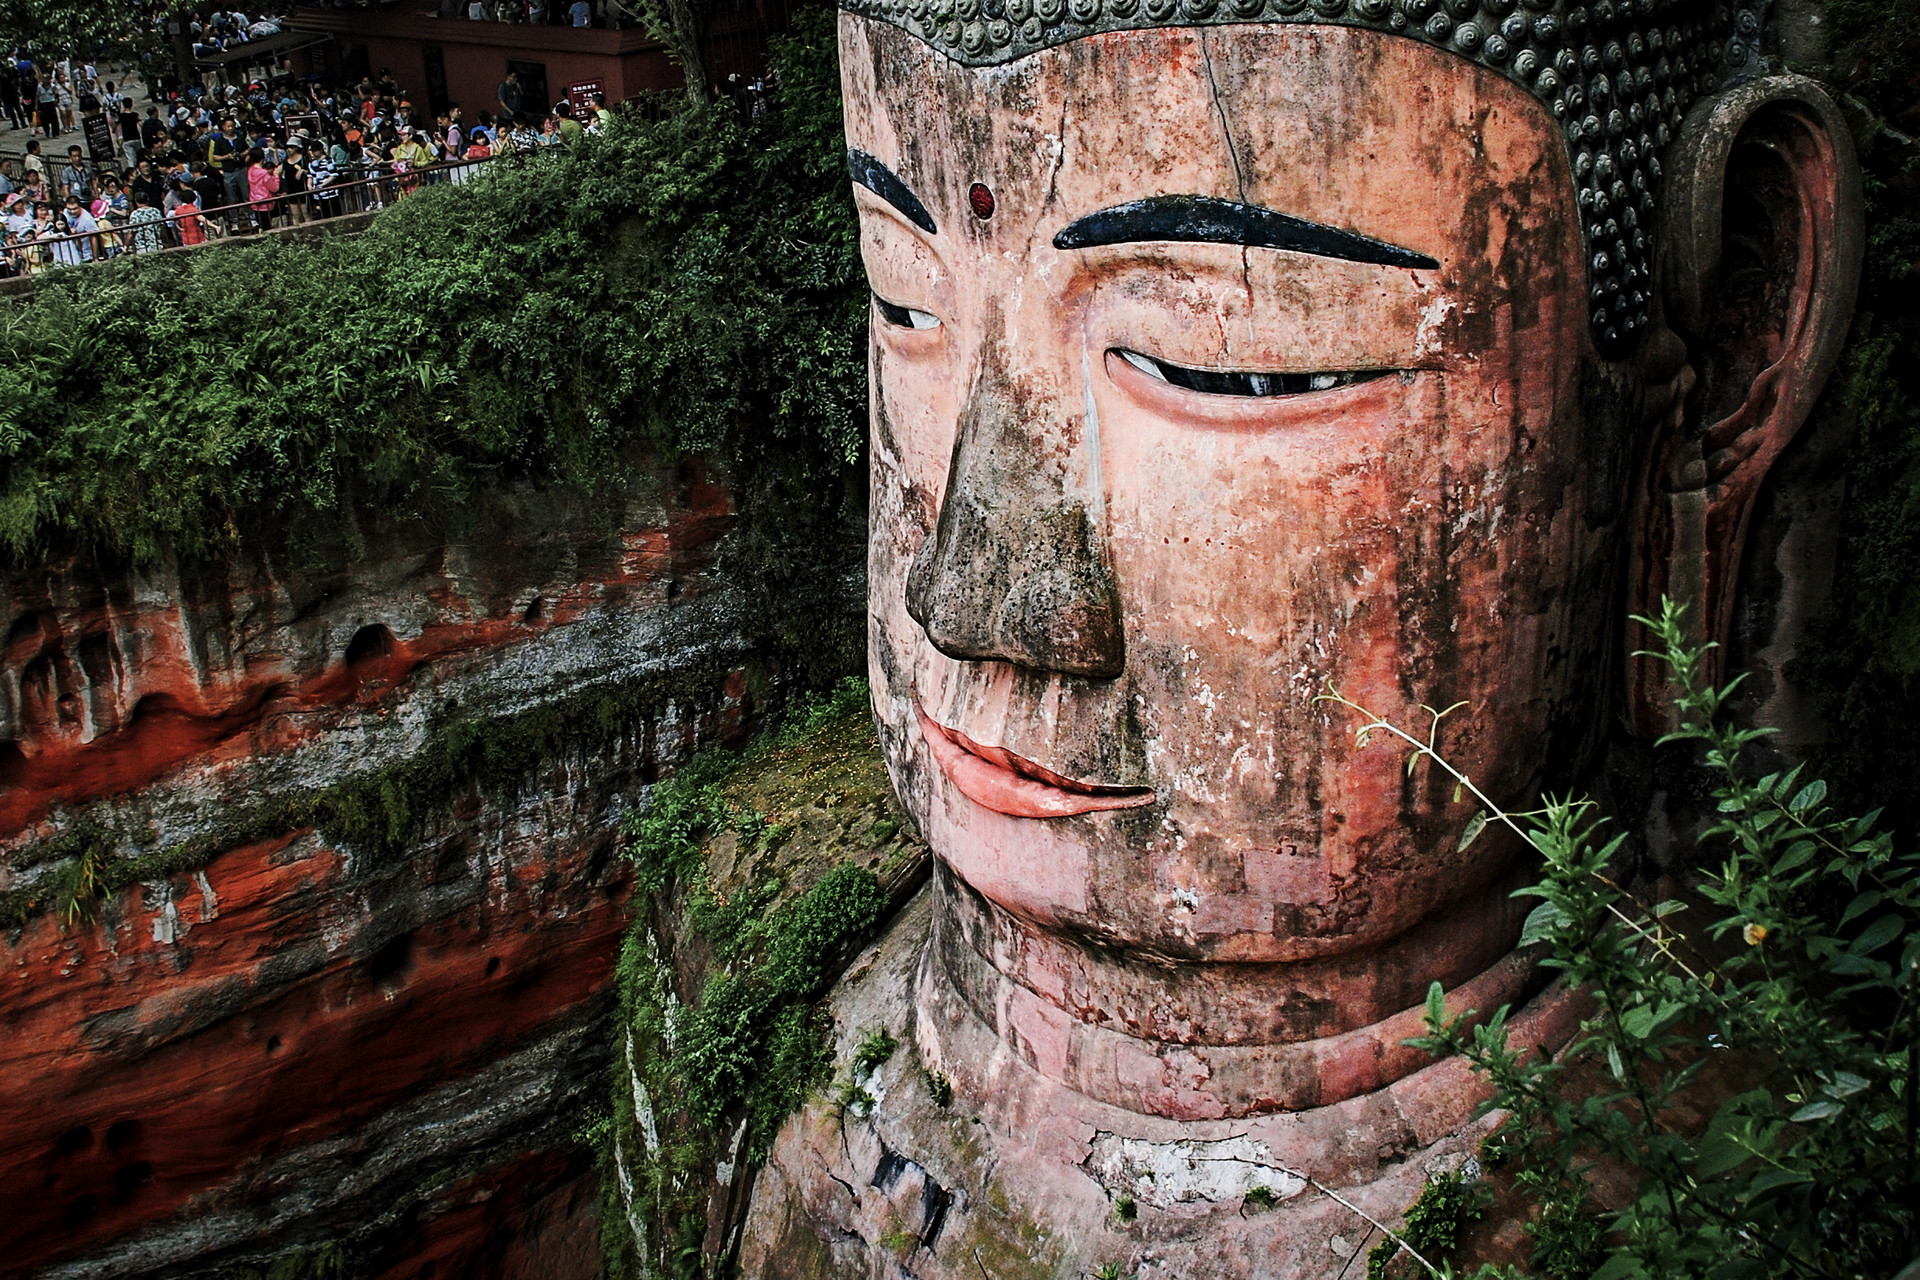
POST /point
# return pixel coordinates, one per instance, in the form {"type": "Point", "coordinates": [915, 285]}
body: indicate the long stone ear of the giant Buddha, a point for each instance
{"type": "Point", "coordinates": [1762, 241]}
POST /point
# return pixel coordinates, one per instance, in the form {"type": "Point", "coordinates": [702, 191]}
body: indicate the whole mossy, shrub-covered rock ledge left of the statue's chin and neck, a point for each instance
{"type": "Point", "coordinates": [721, 976]}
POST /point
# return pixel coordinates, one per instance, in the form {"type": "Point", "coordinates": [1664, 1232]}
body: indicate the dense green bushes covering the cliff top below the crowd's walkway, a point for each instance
{"type": "Point", "coordinates": [684, 285]}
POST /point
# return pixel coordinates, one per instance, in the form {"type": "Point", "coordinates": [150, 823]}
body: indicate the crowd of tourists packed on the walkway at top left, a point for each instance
{"type": "Point", "coordinates": [224, 160]}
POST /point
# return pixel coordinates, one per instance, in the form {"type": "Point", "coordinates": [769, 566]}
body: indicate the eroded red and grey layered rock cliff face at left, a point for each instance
{"type": "Point", "coordinates": [345, 995]}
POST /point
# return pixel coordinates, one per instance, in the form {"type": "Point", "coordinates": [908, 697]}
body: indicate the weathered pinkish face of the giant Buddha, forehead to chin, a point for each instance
{"type": "Point", "coordinates": [1212, 371]}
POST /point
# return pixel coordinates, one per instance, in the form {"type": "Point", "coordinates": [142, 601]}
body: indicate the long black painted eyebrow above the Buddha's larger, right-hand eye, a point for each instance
{"type": "Point", "coordinates": [1209, 220]}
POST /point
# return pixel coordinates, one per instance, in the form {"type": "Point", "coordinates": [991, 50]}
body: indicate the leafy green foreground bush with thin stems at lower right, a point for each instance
{"type": "Point", "coordinates": [1794, 1014]}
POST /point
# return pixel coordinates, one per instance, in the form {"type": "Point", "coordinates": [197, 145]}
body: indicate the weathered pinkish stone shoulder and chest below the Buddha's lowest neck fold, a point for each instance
{"type": "Point", "coordinates": [1022, 1177]}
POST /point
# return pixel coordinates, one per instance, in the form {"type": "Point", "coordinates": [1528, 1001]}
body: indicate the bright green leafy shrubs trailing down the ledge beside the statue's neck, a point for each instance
{"type": "Point", "coordinates": [723, 1072]}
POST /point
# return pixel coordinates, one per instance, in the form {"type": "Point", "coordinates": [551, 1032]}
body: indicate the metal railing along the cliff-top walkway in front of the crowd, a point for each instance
{"type": "Point", "coordinates": [385, 185]}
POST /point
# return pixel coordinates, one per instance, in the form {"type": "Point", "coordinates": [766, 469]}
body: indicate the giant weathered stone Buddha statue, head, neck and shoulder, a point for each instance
{"type": "Point", "coordinates": [1230, 352]}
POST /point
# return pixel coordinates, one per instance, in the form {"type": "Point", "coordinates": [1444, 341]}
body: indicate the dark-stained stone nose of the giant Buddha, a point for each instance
{"type": "Point", "coordinates": [1015, 569]}
